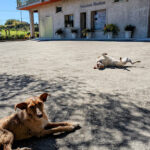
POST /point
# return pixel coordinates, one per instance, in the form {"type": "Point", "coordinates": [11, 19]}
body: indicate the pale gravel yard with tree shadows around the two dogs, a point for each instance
{"type": "Point", "coordinates": [112, 105]}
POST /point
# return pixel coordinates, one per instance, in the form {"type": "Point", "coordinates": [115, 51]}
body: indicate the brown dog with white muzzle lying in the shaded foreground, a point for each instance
{"type": "Point", "coordinates": [31, 121]}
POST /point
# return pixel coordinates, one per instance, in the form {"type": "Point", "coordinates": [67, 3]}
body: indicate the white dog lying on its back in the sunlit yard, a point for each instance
{"type": "Point", "coordinates": [107, 61]}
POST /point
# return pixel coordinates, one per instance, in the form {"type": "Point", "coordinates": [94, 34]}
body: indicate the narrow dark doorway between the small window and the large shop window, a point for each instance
{"type": "Point", "coordinates": [82, 23]}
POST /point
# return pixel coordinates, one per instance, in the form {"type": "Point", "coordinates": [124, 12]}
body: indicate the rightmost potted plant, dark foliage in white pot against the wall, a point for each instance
{"type": "Point", "coordinates": [129, 31]}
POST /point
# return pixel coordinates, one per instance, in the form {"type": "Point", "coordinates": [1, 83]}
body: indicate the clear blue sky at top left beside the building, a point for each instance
{"type": "Point", "coordinates": [8, 11]}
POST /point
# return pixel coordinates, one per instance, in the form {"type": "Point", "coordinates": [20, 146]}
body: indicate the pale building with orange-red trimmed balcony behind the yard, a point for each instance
{"type": "Point", "coordinates": [92, 14]}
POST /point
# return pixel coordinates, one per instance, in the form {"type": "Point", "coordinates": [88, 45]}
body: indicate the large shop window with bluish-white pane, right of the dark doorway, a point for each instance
{"type": "Point", "coordinates": [98, 19]}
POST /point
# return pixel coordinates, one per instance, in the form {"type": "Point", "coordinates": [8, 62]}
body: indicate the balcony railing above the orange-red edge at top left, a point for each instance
{"type": "Point", "coordinates": [24, 3]}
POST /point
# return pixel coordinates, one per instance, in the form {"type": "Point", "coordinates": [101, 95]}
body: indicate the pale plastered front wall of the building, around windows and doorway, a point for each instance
{"type": "Point", "coordinates": [133, 12]}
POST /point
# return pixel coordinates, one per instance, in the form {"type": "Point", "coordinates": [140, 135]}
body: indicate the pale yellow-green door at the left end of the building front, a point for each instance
{"type": "Point", "coordinates": [46, 27]}
